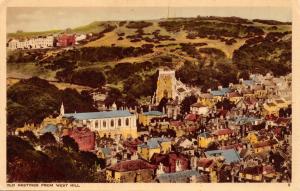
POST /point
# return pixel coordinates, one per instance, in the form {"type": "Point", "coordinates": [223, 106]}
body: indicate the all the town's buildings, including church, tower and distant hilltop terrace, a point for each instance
{"type": "Point", "coordinates": [239, 133]}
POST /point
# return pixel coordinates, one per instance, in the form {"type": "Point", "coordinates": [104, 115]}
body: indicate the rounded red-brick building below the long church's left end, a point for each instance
{"type": "Point", "coordinates": [84, 137]}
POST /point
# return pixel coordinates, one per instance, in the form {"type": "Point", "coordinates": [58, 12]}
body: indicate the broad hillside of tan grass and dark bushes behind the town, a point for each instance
{"type": "Point", "coordinates": [135, 49]}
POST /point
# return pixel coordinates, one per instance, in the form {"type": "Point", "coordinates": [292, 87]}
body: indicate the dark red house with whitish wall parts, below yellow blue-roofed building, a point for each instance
{"type": "Point", "coordinates": [170, 162]}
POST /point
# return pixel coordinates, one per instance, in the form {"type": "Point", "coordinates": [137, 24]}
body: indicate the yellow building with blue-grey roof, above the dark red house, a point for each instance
{"type": "Point", "coordinates": [154, 145]}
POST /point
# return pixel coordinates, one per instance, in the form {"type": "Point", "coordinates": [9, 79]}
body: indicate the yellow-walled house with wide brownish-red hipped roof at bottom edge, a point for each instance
{"type": "Point", "coordinates": [130, 171]}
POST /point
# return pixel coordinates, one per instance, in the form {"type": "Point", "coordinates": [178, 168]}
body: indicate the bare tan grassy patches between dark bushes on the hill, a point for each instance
{"type": "Point", "coordinates": [25, 70]}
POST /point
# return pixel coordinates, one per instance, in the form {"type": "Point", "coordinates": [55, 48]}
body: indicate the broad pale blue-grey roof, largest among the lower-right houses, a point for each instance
{"type": "Point", "coordinates": [230, 155]}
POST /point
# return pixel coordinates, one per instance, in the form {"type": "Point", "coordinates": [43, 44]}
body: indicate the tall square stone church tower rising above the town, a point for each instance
{"type": "Point", "coordinates": [166, 85]}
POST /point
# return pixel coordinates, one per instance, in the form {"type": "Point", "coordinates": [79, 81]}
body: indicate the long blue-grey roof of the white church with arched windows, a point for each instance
{"type": "Point", "coordinates": [98, 115]}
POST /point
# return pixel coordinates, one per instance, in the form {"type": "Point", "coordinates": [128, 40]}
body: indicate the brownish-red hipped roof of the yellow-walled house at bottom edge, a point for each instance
{"type": "Point", "coordinates": [131, 165]}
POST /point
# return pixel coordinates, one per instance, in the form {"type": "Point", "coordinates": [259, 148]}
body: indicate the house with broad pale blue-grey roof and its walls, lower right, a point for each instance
{"type": "Point", "coordinates": [228, 155]}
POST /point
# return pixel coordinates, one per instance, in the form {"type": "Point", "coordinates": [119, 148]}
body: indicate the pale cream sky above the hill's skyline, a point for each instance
{"type": "Point", "coordinates": [32, 19]}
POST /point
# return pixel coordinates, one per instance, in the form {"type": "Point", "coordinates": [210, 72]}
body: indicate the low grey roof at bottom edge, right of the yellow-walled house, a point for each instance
{"type": "Point", "coordinates": [180, 176]}
